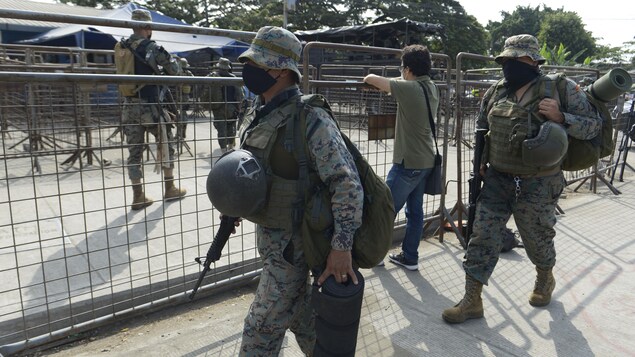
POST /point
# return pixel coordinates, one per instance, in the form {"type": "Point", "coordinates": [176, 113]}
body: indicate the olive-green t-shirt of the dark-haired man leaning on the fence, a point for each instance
{"type": "Point", "coordinates": [414, 145]}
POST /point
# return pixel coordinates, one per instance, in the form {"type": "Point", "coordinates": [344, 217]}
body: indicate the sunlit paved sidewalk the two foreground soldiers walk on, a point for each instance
{"type": "Point", "coordinates": [592, 312]}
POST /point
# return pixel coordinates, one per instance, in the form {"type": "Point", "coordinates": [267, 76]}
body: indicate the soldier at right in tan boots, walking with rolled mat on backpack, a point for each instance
{"type": "Point", "coordinates": [511, 187]}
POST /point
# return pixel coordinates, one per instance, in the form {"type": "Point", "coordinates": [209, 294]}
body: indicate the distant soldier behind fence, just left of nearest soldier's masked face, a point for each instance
{"type": "Point", "coordinates": [225, 104]}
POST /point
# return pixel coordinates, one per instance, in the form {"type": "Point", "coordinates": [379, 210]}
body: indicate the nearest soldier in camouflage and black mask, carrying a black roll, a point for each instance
{"type": "Point", "coordinates": [283, 299]}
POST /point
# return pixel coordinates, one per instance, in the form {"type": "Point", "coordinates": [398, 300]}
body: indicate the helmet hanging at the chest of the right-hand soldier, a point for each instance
{"type": "Point", "coordinates": [548, 148]}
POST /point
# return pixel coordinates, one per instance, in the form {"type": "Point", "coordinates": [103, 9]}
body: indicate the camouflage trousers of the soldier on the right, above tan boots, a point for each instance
{"type": "Point", "coordinates": [532, 201]}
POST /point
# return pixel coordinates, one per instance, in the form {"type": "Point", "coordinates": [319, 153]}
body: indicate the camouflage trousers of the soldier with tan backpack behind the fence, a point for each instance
{"type": "Point", "coordinates": [137, 121]}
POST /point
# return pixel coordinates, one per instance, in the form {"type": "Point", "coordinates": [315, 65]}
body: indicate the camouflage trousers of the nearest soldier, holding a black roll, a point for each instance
{"type": "Point", "coordinates": [283, 298]}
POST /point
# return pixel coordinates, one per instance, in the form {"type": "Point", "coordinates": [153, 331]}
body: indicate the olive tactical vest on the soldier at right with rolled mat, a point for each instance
{"type": "Point", "coordinates": [510, 124]}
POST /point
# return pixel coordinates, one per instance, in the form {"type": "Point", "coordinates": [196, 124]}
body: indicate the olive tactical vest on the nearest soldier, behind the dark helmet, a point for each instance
{"type": "Point", "coordinates": [266, 142]}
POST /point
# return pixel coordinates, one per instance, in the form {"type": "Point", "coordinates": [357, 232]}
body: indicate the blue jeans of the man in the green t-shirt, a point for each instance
{"type": "Point", "coordinates": [406, 186]}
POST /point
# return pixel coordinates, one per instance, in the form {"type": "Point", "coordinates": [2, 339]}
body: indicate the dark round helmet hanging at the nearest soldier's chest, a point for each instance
{"type": "Point", "coordinates": [237, 184]}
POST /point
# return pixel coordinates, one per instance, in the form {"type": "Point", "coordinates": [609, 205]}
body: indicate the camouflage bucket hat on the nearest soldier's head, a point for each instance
{"type": "Point", "coordinates": [274, 48]}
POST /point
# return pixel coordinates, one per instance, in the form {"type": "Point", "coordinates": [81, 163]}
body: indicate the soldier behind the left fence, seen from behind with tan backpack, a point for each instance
{"type": "Point", "coordinates": [143, 112]}
